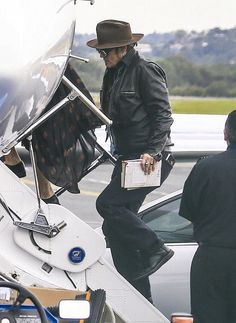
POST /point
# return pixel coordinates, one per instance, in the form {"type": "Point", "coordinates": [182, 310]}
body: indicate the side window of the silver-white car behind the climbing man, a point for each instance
{"type": "Point", "coordinates": [167, 224]}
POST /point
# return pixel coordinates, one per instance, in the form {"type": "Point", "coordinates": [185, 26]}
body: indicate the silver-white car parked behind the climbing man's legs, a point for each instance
{"type": "Point", "coordinates": [171, 283]}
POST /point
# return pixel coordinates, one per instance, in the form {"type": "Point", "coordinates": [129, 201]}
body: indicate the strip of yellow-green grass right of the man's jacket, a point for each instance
{"type": "Point", "coordinates": [202, 105]}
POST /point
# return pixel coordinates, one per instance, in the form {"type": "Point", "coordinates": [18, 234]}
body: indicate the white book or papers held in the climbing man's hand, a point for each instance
{"type": "Point", "coordinates": [132, 175]}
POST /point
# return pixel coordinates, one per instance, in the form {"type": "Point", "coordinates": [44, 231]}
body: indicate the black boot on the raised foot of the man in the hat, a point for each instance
{"type": "Point", "coordinates": [153, 260]}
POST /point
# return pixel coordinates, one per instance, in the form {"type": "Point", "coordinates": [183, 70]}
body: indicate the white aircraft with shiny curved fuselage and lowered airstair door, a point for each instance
{"type": "Point", "coordinates": [46, 245]}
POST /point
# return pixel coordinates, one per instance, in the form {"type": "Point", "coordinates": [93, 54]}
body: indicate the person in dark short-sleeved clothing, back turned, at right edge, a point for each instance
{"type": "Point", "coordinates": [209, 201]}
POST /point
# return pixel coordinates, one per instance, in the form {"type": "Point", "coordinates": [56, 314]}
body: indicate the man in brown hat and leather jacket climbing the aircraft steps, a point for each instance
{"type": "Point", "coordinates": [135, 96]}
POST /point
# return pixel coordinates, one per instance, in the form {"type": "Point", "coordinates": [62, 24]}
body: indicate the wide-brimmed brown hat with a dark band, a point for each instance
{"type": "Point", "coordinates": [113, 33]}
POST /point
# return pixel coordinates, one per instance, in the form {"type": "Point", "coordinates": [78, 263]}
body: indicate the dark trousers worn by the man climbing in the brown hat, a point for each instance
{"type": "Point", "coordinates": [127, 234]}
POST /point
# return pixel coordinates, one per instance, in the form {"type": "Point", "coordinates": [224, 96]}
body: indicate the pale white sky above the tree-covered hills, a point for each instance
{"type": "Point", "coordinates": [147, 16]}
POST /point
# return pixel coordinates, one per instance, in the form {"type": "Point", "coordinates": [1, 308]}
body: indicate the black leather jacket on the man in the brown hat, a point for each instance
{"type": "Point", "coordinates": [135, 96]}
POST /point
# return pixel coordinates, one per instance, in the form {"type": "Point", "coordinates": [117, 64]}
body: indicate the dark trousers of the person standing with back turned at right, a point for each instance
{"type": "Point", "coordinates": [213, 285]}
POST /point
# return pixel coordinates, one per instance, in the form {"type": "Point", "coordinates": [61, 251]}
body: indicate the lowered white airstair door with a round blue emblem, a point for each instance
{"type": "Point", "coordinates": [43, 259]}
